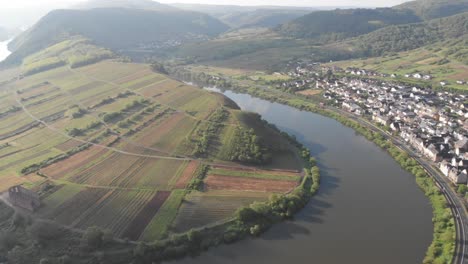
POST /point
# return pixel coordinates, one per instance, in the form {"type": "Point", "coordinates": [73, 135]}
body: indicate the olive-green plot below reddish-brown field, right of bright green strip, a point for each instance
{"type": "Point", "coordinates": [201, 209]}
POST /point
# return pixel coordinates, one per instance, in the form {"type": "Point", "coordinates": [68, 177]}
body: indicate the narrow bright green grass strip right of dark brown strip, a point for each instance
{"type": "Point", "coordinates": [164, 218]}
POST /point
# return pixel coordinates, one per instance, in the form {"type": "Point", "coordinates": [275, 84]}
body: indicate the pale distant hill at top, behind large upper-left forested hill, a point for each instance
{"type": "Point", "coordinates": [133, 4]}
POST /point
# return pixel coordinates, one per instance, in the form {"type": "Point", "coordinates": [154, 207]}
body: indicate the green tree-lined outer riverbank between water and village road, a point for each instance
{"type": "Point", "coordinates": [442, 247]}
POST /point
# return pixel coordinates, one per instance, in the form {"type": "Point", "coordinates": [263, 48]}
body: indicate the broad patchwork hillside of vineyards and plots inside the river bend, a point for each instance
{"type": "Point", "coordinates": [118, 146]}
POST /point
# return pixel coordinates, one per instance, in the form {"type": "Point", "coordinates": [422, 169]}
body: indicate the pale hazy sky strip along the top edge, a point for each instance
{"type": "Point", "coordinates": [64, 3]}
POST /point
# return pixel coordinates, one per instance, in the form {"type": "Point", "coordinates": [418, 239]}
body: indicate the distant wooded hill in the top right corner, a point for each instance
{"type": "Point", "coordinates": [431, 9]}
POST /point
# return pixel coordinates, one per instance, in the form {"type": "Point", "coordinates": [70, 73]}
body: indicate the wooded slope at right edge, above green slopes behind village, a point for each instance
{"type": "Point", "coordinates": [412, 36]}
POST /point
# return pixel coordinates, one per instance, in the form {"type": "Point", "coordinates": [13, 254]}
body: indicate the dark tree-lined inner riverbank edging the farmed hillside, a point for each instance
{"type": "Point", "coordinates": [249, 221]}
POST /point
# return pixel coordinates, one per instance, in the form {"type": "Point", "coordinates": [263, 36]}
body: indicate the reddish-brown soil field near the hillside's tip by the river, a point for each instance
{"type": "Point", "coordinates": [217, 182]}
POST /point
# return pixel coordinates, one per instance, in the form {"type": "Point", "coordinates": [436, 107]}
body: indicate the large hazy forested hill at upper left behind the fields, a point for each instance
{"type": "Point", "coordinates": [116, 28]}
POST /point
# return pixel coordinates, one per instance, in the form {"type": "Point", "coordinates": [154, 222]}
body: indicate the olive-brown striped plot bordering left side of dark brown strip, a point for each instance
{"type": "Point", "coordinates": [115, 212]}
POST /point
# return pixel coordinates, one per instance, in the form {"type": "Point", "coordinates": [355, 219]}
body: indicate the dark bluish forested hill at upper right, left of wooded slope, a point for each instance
{"type": "Point", "coordinates": [339, 24]}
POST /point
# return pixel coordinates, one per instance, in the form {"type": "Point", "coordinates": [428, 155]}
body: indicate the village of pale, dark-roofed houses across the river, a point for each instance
{"type": "Point", "coordinates": [433, 122]}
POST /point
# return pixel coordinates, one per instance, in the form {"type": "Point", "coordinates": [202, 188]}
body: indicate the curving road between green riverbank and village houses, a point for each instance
{"type": "Point", "coordinates": [455, 202]}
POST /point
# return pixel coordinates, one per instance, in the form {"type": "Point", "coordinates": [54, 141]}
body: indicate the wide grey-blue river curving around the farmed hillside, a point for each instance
{"type": "Point", "coordinates": [368, 209]}
